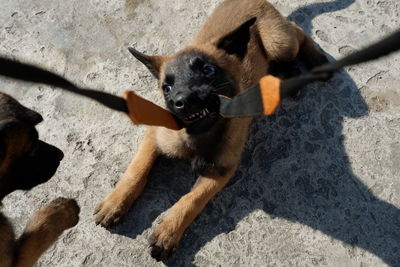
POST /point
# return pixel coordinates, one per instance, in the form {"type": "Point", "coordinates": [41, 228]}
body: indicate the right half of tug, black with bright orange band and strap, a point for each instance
{"type": "Point", "coordinates": [265, 97]}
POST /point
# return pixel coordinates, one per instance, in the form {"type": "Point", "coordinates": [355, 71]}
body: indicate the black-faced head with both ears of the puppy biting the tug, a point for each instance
{"type": "Point", "coordinates": [192, 79]}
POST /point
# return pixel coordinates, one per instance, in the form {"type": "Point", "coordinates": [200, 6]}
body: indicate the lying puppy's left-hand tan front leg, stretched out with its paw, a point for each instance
{"type": "Point", "coordinates": [114, 206]}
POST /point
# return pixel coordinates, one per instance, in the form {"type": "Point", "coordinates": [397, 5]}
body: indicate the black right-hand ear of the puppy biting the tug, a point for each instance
{"type": "Point", "coordinates": [235, 43]}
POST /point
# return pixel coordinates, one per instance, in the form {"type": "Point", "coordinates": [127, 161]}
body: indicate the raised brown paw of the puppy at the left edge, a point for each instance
{"type": "Point", "coordinates": [61, 214]}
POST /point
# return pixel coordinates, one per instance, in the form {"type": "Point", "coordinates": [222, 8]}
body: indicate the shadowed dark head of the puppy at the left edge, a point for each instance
{"type": "Point", "coordinates": [25, 161]}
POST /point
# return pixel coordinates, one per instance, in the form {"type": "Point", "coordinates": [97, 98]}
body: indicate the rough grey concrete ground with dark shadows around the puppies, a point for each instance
{"type": "Point", "coordinates": [319, 181]}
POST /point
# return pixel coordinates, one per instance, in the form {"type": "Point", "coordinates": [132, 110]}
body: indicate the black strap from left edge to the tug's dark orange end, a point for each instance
{"type": "Point", "coordinates": [30, 73]}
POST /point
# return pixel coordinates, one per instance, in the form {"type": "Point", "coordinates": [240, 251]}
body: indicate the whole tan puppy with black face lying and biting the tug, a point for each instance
{"type": "Point", "coordinates": [231, 52]}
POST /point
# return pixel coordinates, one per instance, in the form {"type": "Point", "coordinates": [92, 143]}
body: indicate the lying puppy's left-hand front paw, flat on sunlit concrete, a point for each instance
{"type": "Point", "coordinates": [110, 211]}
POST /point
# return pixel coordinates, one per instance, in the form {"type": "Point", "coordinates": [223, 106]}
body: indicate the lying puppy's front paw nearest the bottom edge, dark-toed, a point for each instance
{"type": "Point", "coordinates": [164, 240]}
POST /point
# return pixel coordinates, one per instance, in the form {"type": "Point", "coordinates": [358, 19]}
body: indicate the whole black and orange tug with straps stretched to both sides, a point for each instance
{"type": "Point", "coordinates": [261, 99]}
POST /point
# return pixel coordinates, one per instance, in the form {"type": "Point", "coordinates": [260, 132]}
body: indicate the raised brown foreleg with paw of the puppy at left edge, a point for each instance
{"type": "Point", "coordinates": [42, 230]}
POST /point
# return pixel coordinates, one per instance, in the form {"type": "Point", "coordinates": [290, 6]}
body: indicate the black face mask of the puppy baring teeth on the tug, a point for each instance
{"type": "Point", "coordinates": [191, 87]}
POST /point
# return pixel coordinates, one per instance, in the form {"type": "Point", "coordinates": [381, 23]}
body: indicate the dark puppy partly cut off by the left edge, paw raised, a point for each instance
{"type": "Point", "coordinates": [26, 161]}
